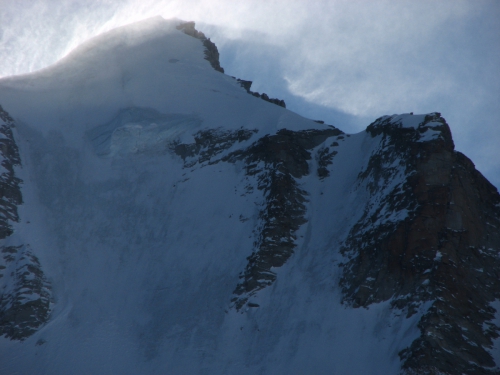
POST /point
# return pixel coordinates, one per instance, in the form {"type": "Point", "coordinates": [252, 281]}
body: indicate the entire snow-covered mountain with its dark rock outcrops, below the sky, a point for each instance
{"type": "Point", "coordinates": [156, 216]}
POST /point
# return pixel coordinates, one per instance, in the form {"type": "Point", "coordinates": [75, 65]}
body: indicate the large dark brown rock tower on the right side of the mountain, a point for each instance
{"type": "Point", "coordinates": [443, 248]}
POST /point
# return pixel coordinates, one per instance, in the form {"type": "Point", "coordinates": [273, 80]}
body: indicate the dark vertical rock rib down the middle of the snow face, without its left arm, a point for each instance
{"type": "Point", "coordinates": [277, 161]}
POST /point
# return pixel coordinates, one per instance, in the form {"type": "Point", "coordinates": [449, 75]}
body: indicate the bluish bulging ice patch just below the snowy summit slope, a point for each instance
{"type": "Point", "coordinates": [139, 130]}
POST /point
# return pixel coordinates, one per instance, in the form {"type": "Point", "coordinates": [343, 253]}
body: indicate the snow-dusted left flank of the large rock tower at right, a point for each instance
{"type": "Point", "coordinates": [389, 179]}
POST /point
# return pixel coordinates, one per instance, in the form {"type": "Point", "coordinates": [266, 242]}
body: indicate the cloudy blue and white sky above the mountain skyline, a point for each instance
{"type": "Point", "coordinates": [344, 62]}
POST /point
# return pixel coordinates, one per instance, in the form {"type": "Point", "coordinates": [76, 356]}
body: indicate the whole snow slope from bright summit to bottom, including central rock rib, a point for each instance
{"type": "Point", "coordinates": [177, 224]}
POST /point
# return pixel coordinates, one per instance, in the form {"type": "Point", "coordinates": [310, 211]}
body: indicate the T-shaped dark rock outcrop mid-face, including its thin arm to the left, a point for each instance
{"type": "Point", "coordinates": [276, 162]}
